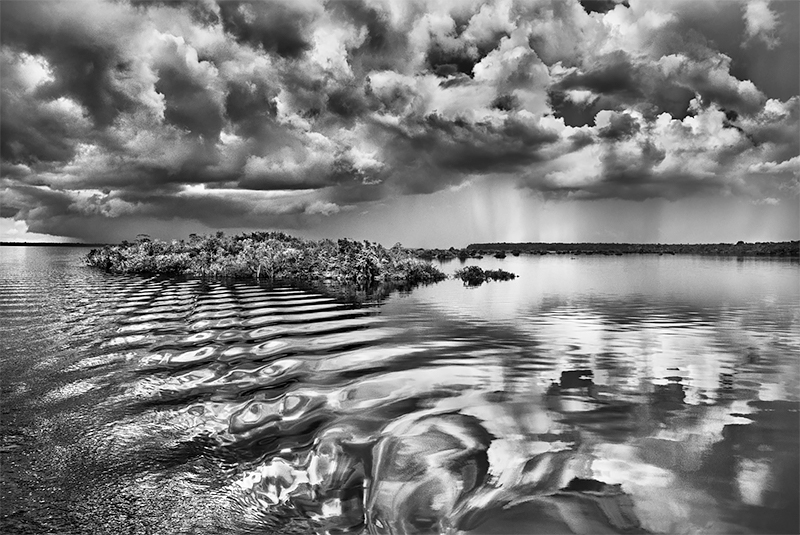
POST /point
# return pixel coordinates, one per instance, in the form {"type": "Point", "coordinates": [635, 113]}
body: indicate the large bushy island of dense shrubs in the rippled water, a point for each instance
{"type": "Point", "coordinates": [267, 255]}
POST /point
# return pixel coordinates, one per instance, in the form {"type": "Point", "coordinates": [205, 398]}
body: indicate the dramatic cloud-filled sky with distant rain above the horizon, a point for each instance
{"type": "Point", "coordinates": [432, 123]}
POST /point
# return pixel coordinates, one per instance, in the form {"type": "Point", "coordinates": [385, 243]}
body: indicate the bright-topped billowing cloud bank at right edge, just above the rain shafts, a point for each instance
{"type": "Point", "coordinates": [631, 157]}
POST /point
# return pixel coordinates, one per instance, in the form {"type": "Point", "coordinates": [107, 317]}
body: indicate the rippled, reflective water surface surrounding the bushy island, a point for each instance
{"type": "Point", "coordinates": [591, 395]}
